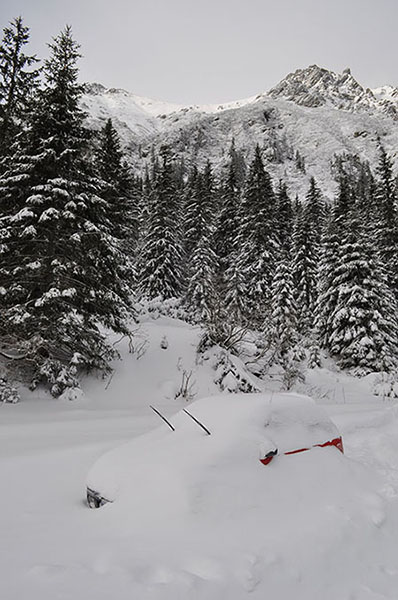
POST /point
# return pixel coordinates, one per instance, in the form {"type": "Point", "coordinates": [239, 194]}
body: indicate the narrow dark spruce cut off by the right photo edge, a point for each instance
{"type": "Point", "coordinates": [386, 219]}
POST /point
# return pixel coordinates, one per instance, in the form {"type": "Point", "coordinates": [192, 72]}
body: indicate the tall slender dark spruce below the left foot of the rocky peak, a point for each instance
{"type": "Point", "coordinates": [257, 243]}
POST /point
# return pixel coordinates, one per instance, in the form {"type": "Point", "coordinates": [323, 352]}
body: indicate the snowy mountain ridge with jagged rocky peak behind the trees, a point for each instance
{"type": "Point", "coordinates": [312, 113]}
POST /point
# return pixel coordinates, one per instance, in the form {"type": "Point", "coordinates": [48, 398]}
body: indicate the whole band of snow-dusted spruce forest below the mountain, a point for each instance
{"type": "Point", "coordinates": [83, 239]}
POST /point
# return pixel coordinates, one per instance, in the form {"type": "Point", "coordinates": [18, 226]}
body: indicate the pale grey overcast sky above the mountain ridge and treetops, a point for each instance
{"type": "Point", "coordinates": [196, 51]}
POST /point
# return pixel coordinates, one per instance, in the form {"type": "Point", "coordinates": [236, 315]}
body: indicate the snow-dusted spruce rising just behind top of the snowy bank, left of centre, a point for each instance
{"type": "Point", "coordinates": [161, 256]}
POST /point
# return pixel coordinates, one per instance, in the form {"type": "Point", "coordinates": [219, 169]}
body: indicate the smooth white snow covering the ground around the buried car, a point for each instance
{"type": "Point", "coordinates": [310, 526]}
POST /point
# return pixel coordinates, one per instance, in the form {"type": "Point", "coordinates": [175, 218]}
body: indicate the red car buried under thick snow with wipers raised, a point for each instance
{"type": "Point", "coordinates": [245, 428]}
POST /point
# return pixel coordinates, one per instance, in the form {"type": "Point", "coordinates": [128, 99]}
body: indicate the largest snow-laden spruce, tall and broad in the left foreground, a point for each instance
{"type": "Point", "coordinates": [61, 269]}
